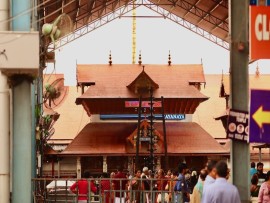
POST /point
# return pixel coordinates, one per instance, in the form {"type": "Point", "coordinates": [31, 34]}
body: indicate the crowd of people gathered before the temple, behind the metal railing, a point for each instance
{"type": "Point", "coordinates": [180, 186]}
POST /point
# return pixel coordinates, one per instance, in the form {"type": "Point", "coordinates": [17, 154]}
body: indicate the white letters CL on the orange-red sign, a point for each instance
{"type": "Point", "coordinates": [262, 27]}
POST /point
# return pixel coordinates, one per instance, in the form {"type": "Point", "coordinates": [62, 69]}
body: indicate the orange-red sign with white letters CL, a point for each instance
{"type": "Point", "coordinates": [259, 32]}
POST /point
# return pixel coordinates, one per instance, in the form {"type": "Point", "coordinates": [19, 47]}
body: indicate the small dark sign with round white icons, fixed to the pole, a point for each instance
{"type": "Point", "coordinates": [237, 128]}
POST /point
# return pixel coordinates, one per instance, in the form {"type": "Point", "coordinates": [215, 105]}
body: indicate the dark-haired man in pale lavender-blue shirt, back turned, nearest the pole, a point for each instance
{"type": "Point", "coordinates": [221, 191]}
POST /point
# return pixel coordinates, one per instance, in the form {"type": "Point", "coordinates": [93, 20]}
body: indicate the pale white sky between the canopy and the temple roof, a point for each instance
{"type": "Point", "coordinates": [155, 38]}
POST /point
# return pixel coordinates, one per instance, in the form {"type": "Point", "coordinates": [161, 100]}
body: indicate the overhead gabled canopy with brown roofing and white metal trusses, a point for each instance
{"type": "Point", "coordinates": [207, 18]}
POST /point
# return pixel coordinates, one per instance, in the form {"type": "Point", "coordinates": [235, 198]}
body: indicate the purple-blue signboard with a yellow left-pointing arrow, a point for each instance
{"type": "Point", "coordinates": [259, 122]}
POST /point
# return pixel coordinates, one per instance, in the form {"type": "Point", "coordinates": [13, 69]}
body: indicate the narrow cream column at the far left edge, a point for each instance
{"type": "Point", "coordinates": [5, 121]}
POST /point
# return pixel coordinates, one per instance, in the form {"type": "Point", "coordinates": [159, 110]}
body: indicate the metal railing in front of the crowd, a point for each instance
{"type": "Point", "coordinates": [46, 190]}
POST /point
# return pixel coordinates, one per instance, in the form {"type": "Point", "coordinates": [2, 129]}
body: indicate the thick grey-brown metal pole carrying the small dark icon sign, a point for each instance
{"type": "Point", "coordinates": [239, 18]}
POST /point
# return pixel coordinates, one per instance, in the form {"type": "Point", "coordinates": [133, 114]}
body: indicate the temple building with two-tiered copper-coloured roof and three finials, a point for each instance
{"type": "Point", "coordinates": [138, 115]}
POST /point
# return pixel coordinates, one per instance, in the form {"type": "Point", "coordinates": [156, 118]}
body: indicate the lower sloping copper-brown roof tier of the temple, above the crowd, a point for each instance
{"type": "Point", "coordinates": [183, 138]}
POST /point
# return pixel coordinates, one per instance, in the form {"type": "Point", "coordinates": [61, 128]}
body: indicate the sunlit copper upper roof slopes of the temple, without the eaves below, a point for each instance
{"type": "Point", "coordinates": [112, 81]}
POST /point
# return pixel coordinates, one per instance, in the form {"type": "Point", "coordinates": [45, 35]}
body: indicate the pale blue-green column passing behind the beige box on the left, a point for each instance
{"type": "Point", "coordinates": [23, 136]}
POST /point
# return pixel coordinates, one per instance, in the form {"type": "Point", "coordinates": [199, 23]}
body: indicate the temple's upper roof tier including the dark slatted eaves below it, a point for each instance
{"type": "Point", "coordinates": [110, 90]}
